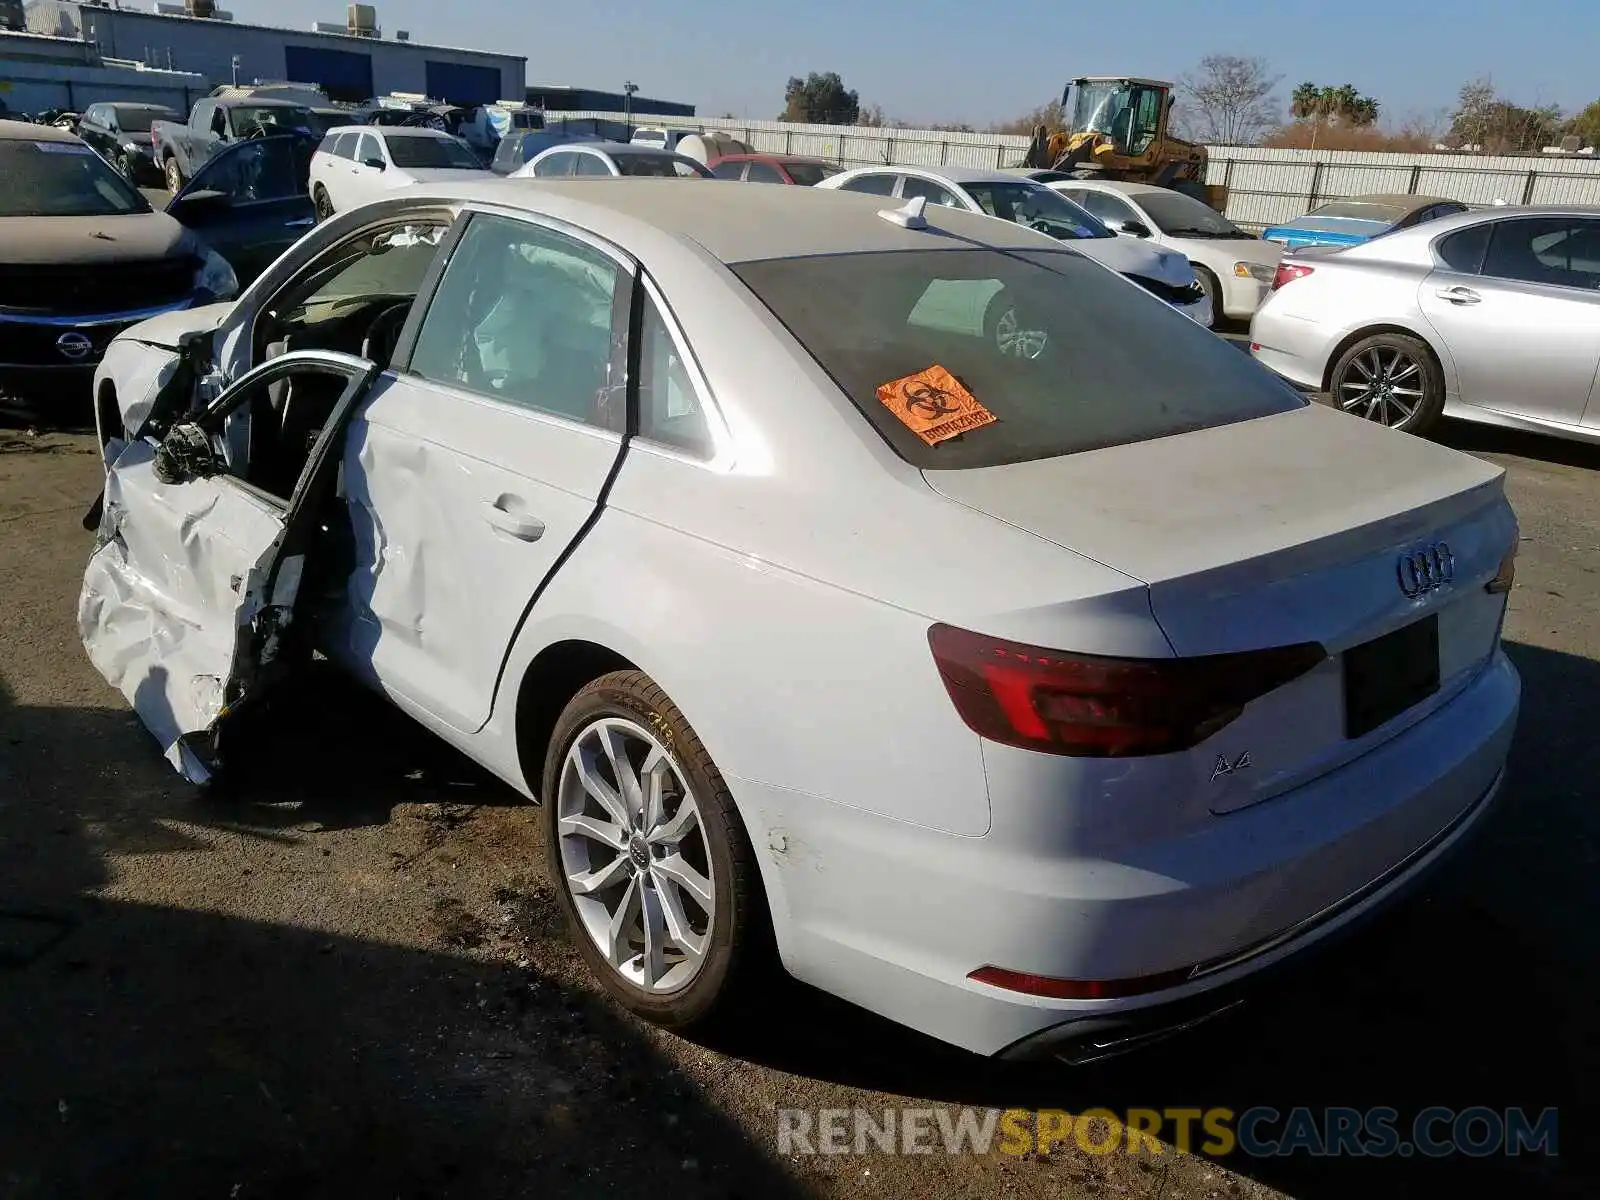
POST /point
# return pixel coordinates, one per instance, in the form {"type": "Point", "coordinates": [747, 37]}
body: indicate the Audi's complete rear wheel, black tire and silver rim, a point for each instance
{"type": "Point", "coordinates": [679, 881]}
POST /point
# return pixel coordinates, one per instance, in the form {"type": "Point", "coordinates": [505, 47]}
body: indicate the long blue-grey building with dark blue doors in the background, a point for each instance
{"type": "Point", "coordinates": [351, 60]}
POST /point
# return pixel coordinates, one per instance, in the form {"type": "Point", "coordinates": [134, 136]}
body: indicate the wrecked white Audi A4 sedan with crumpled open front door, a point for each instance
{"type": "Point", "coordinates": [1034, 700]}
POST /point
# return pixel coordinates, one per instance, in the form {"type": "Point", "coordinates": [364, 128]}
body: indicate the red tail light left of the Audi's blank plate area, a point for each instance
{"type": "Point", "coordinates": [1105, 708]}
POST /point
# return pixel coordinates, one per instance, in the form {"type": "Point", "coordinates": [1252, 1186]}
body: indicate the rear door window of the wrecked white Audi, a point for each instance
{"type": "Point", "coordinates": [526, 316]}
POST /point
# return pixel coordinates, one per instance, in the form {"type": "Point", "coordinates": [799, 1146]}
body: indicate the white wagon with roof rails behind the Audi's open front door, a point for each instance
{"type": "Point", "coordinates": [359, 164]}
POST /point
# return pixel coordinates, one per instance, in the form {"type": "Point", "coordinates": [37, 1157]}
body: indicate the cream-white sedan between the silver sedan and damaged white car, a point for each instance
{"type": "Point", "coordinates": [1234, 268]}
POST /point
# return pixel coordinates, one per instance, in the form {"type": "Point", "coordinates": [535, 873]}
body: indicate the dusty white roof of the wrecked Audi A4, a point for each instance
{"type": "Point", "coordinates": [738, 225]}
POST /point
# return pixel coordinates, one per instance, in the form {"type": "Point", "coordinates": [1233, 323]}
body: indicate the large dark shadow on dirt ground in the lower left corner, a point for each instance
{"type": "Point", "coordinates": [161, 1052]}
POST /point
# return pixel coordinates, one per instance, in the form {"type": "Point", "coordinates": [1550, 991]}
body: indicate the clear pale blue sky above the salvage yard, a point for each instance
{"type": "Point", "coordinates": [985, 62]}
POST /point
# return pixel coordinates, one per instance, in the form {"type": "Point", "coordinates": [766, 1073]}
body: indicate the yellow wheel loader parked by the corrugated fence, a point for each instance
{"type": "Point", "coordinates": [1121, 129]}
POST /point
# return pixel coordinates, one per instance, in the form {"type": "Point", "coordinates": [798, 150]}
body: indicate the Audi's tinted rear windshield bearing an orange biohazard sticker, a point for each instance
{"type": "Point", "coordinates": [1065, 354]}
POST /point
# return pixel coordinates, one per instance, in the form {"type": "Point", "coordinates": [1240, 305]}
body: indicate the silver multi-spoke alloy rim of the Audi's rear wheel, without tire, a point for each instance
{"type": "Point", "coordinates": [634, 855]}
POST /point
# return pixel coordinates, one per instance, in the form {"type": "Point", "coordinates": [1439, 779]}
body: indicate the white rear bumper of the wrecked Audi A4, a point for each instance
{"type": "Point", "coordinates": [897, 919]}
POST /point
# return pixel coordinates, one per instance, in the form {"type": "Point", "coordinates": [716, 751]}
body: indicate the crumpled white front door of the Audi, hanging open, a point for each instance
{"type": "Point", "coordinates": [190, 601]}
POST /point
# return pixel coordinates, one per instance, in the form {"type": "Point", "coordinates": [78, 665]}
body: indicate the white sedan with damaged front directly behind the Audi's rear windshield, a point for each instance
{"type": "Point", "coordinates": [1001, 194]}
